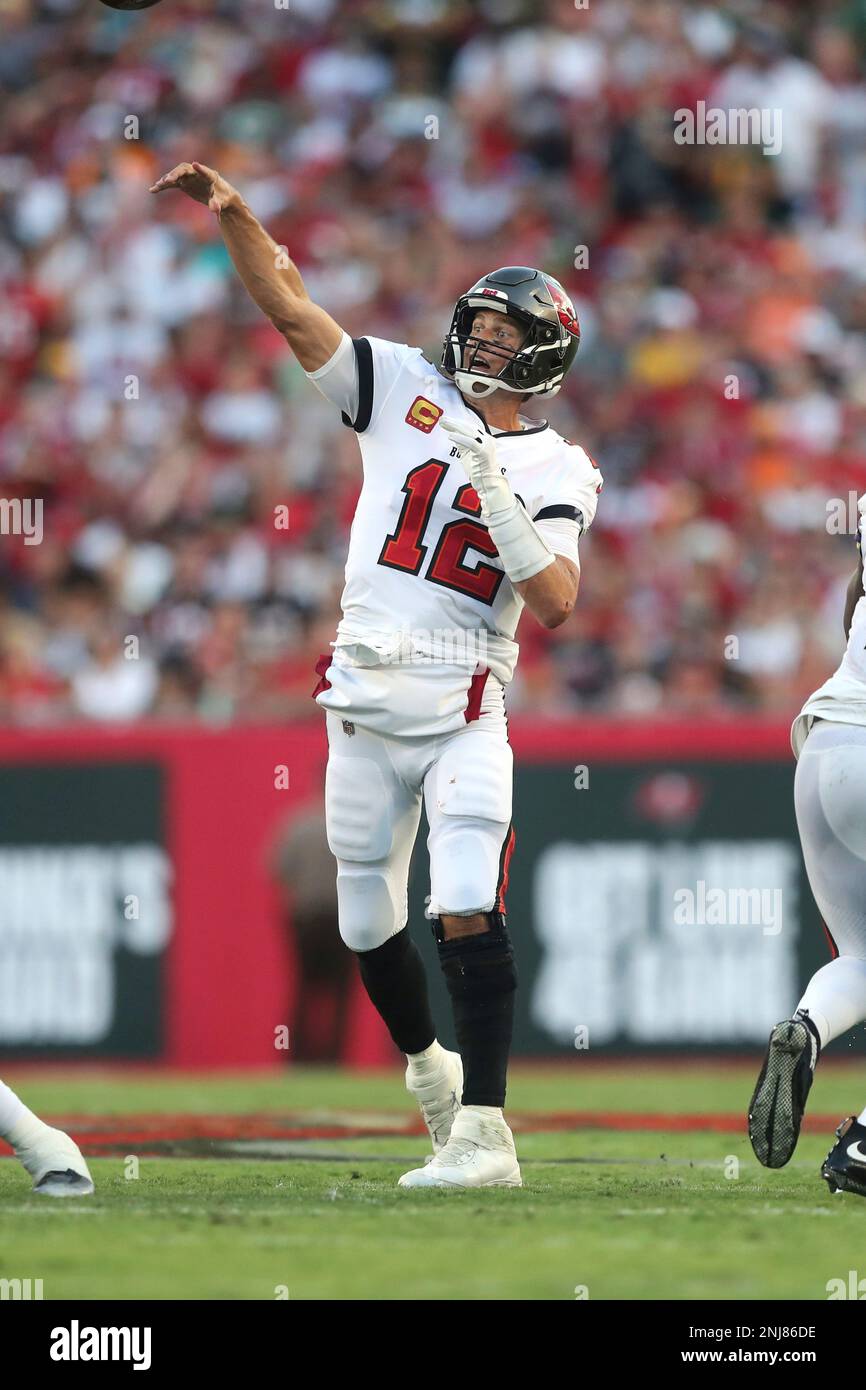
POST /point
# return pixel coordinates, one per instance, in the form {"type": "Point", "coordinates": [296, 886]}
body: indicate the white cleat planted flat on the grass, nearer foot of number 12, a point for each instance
{"type": "Point", "coordinates": [480, 1153]}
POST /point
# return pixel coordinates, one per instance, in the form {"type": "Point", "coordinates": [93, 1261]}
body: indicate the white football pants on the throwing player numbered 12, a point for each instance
{"type": "Point", "coordinates": [373, 803]}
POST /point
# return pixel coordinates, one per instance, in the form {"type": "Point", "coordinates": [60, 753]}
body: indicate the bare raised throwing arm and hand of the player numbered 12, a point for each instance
{"type": "Point", "coordinates": [272, 279]}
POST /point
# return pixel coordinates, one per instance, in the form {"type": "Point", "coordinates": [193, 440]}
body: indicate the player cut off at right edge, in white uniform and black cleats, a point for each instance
{"type": "Point", "coordinates": [829, 740]}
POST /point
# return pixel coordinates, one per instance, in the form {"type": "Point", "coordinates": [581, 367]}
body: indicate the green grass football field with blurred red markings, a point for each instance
{"type": "Point", "coordinates": [626, 1211]}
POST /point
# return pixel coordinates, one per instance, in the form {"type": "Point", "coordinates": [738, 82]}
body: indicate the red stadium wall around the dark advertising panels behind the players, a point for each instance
{"type": "Point", "coordinates": [230, 974]}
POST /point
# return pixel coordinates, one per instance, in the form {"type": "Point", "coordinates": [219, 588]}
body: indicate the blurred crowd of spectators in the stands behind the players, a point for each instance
{"type": "Point", "coordinates": [401, 149]}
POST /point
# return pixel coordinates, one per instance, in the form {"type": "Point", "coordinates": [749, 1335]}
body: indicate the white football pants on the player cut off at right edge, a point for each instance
{"type": "Point", "coordinates": [831, 803]}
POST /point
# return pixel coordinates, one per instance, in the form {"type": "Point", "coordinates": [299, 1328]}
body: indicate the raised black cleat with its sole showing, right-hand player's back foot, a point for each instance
{"type": "Point", "coordinates": [776, 1110]}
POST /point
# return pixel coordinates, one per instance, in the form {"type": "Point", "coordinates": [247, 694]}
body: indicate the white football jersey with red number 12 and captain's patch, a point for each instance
{"type": "Point", "coordinates": [426, 590]}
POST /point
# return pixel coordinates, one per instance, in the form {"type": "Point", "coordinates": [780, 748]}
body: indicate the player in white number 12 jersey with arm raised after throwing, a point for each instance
{"type": "Point", "coordinates": [468, 514]}
